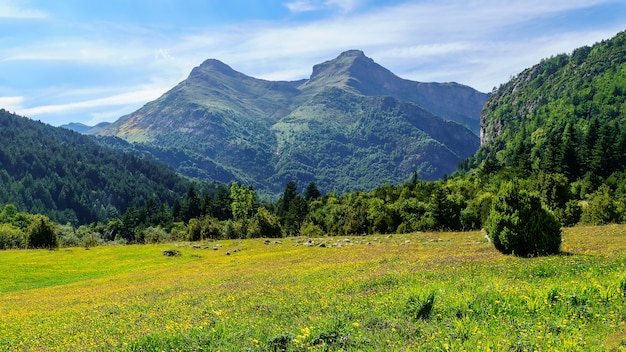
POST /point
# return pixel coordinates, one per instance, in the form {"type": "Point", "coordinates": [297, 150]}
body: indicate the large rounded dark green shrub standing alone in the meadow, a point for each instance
{"type": "Point", "coordinates": [519, 224]}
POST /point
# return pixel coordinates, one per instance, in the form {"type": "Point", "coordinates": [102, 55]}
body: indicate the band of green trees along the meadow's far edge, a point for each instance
{"type": "Point", "coordinates": [458, 203]}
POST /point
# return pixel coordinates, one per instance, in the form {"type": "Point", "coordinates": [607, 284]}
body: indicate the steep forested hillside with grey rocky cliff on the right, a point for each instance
{"type": "Point", "coordinates": [566, 114]}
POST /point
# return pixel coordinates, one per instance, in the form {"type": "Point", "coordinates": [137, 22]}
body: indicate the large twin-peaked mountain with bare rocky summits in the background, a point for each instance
{"type": "Point", "coordinates": [353, 125]}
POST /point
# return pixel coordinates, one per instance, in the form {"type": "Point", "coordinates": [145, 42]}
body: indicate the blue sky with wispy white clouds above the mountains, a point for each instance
{"type": "Point", "coordinates": [91, 61]}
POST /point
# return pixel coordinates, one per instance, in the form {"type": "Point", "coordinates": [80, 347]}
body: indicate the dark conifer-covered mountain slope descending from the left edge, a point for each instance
{"type": "Point", "coordinates": [71, 178]}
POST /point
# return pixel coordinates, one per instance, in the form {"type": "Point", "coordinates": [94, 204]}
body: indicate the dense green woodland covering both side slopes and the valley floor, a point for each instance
{"type": "Point", "coordinates": [556, 132]}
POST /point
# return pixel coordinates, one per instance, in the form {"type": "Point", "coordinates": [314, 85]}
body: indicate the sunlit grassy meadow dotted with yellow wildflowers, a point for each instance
{"type": "Point", "coordinates": [422, 291]}
